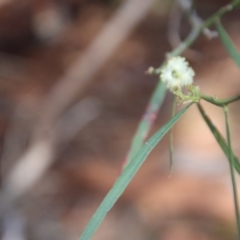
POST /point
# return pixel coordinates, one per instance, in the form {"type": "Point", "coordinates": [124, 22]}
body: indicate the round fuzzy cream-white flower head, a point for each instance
{"type": "Point", "coordinates": [177, 73]}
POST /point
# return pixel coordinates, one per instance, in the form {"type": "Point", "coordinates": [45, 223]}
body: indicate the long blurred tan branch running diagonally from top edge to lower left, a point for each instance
{"type": "Point", "coordinates": [40, 154]}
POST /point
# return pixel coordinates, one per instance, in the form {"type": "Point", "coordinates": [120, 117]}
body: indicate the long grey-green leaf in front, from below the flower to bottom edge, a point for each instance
{"type": "Point", "coordinates": [127, 175]}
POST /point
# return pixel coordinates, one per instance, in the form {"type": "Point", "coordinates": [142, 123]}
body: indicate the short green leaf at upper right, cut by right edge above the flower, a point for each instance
{"type": "Point", "coordinates": [228, 43]}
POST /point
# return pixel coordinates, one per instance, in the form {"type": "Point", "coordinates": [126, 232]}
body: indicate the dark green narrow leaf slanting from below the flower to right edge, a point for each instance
{"type": "Point", "coordinates": [222, 143]}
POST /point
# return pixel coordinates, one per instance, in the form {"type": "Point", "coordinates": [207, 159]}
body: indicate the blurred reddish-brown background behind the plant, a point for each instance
{"type": "Point", "coordinates": [72, 91]}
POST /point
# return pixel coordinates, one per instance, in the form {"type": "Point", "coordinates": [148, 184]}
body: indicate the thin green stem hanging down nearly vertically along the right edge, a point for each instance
{"type": "Point", "coordinates": [231, 161]}
